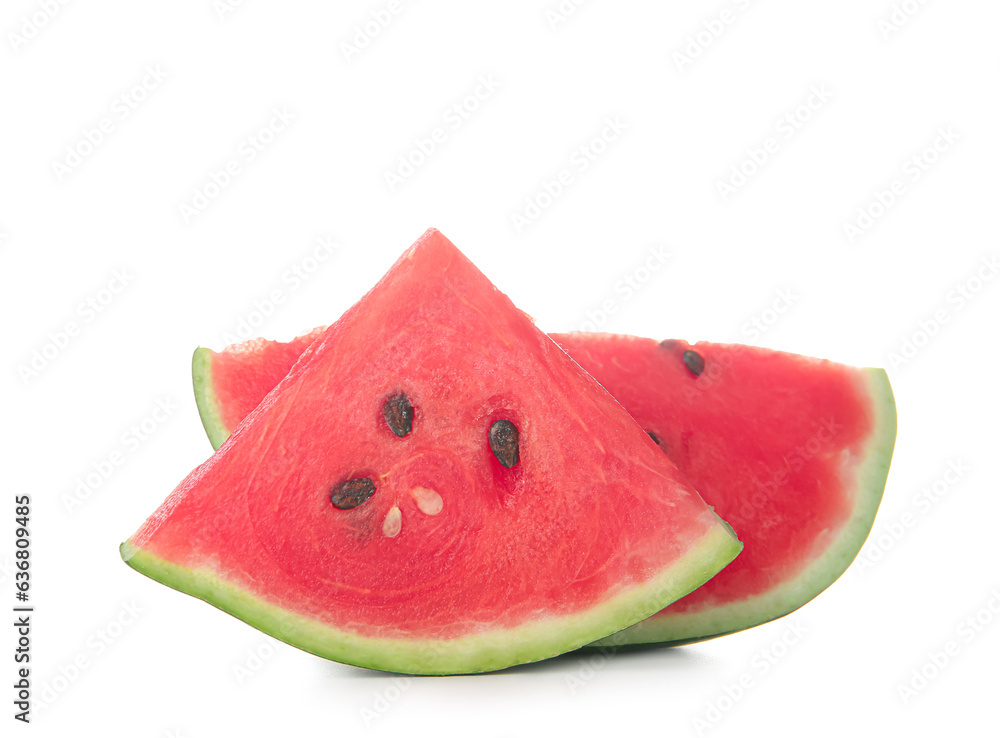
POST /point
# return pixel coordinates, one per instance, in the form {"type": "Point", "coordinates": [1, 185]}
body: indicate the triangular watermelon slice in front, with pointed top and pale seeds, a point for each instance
{"type": "Point", "coordinates": [434, 488]}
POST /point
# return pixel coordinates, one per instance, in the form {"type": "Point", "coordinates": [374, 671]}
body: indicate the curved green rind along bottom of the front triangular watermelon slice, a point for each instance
{"type": "Point", "coordinates": [489, 650]}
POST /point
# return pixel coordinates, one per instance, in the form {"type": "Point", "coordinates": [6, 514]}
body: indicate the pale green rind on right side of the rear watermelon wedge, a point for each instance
{"type": "Point", "coordinates": [870, 479]}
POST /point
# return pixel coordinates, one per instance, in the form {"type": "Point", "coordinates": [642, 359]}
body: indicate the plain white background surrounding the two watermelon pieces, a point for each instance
{"type": "Point", "coordinates": [172, 670]}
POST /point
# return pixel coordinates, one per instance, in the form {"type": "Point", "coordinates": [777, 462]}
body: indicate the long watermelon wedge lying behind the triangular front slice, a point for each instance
{"type": "Point", "coordinates": [792, 451]}
